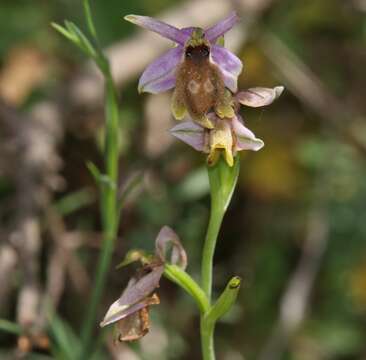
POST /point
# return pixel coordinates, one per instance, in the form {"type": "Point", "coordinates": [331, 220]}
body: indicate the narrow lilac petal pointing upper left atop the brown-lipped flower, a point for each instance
{"type": "Point", "coordinates": [163, 29]}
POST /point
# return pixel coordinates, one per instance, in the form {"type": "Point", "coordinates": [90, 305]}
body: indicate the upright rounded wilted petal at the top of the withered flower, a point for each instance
{"type": "Point", "coordinates": [167, 240]}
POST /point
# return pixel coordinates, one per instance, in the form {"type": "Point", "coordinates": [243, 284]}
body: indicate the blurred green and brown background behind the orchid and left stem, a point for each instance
{"type": "Point", "coordinates": [295, 231]}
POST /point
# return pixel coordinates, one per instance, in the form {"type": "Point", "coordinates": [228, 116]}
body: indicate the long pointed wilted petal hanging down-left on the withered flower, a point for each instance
{"type": "Point", "coordinates": [134, 297]}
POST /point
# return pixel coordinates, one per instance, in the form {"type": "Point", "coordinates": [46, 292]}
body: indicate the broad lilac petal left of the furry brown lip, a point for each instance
{"type": "Point", "coordinates": [159, 76]}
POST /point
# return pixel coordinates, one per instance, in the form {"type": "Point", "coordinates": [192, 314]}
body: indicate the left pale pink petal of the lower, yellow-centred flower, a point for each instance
{"type": "Point", "coordinates": [190, 133]}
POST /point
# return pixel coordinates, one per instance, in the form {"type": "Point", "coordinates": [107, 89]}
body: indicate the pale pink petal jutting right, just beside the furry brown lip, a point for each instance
{"type": "Point", "coordinates": [259, 96]}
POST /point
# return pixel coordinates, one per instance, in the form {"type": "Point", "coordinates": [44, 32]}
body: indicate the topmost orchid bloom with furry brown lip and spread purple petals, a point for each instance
{"type": "Point", "coordinates": [198, 68]}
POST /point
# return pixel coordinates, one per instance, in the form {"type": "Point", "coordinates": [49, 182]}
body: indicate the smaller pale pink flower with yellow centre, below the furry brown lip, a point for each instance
{"type": "Point", "coordinates": [229, 135]}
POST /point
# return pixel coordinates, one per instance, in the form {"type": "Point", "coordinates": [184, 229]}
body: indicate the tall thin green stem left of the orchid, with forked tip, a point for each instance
{"type": "Point", "coordinates": [107, 181]}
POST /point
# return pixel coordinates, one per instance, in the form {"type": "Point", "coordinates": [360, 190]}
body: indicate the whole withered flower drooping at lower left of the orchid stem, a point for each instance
{"type": "Point", "coordinates": [130, 313]}
